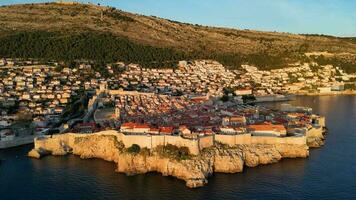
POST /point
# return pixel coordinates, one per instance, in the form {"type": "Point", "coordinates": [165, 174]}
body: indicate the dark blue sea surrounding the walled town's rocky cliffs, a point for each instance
{"type": "Point", "coordinates": [328, 173]}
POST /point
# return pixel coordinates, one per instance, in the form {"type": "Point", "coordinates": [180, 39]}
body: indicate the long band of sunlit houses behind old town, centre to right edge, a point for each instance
{"type": "Point", "coordinates": [207, 77]}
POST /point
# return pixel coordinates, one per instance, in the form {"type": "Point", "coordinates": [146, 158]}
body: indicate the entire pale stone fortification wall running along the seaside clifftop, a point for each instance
{"type": "Point", "coordinates": [152, 141]}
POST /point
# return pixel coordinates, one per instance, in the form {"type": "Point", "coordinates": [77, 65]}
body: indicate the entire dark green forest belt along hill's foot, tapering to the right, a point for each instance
{"type": "Point", "coordinates": [102, 48]}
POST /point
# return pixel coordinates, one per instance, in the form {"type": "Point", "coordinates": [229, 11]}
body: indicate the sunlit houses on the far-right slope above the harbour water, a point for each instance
{"type": "Point", "coordinates": [295, 79]}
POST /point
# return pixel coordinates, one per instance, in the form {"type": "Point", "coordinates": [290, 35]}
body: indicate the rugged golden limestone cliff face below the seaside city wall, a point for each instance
{"type": "Point", "coordinates": [195, 170]}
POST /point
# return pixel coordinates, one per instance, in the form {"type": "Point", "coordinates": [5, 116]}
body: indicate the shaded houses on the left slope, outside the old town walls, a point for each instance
{"type": "Point", "coordinates": [39, 91]}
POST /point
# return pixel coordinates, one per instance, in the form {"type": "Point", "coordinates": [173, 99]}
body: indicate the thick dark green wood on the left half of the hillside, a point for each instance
{"type": "Point", "coordinates": [92, 46]}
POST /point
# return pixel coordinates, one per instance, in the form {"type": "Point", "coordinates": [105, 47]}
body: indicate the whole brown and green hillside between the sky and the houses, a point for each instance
{"type": "Point", "coordinates": [83, 31]}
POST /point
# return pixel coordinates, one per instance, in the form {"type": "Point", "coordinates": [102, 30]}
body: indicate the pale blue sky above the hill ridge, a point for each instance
{"type": "Point", "coordinates": [329, 17]}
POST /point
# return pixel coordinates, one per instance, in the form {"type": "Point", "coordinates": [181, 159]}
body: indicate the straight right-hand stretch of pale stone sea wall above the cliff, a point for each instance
{"type": "Point", "coordinates": [247, 139]}
